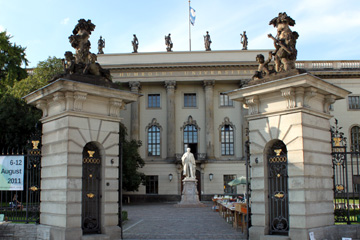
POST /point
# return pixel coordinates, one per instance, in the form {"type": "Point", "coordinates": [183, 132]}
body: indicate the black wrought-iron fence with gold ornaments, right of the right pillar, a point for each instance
{"type": "Point", "coordinates": [346, 177]}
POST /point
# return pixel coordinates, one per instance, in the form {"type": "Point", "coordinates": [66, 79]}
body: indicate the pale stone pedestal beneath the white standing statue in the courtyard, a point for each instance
{"type": "Point", "coordinates": [190, 196]}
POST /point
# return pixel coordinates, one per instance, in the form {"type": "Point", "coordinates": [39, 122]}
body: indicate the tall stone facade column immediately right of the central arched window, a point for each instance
{"type": "Point", "coordinates": [209, 118]}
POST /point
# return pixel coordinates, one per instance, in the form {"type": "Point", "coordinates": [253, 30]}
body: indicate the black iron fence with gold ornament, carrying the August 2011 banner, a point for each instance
{"type": "Point", "coordinates": [23, 205]}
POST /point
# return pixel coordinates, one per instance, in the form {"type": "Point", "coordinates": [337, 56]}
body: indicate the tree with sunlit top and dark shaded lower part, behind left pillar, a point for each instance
{"type": "Point", "coordinates": [18, 119]}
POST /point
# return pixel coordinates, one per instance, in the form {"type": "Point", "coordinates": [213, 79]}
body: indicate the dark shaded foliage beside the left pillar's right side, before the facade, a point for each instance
{"type": "Point", "coordinates": [132, 161]}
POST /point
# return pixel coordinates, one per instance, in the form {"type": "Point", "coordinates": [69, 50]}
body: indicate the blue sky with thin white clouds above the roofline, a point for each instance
{"type": "Point", "coordinates": [328, 29]}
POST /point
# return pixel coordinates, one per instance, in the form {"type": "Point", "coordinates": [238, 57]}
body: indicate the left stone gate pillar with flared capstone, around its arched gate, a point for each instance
{"type": "Point", "coordinates": [75, 114]}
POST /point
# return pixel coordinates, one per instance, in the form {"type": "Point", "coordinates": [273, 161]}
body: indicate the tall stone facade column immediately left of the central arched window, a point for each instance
{"type": "Point", "coordinates": [170, 114]}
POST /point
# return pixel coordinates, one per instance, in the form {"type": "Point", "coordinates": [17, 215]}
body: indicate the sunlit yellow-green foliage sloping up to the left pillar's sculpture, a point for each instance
{"type": "Point", "coordinates": [43, 72]}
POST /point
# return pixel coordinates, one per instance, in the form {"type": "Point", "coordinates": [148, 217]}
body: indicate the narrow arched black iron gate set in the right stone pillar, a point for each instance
{"type": "Point", "coordinates": [278, 189]}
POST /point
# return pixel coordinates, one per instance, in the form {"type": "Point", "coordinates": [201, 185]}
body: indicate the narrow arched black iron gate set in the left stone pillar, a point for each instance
{"type": "Point", "coordinates": [91, 189]}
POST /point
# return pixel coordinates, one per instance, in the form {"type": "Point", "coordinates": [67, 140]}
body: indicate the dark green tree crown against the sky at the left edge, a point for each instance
{"type": "Point", "coordinates": [11, 58]}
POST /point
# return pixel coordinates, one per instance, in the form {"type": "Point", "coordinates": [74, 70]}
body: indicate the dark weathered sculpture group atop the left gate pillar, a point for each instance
{"type": "Point", "coordinates": [82, 65]}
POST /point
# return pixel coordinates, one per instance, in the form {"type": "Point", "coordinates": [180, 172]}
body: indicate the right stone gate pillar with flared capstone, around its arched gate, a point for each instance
{"type": "Point", "coordinates": [295, 111]}
